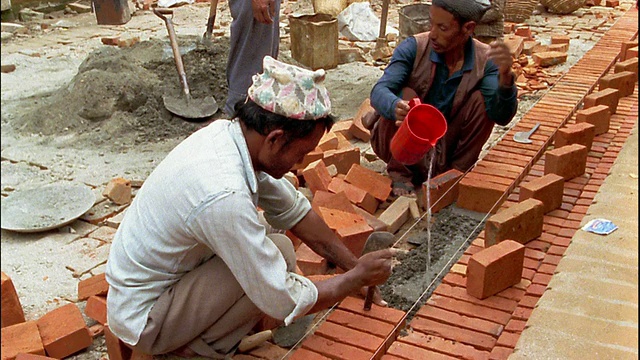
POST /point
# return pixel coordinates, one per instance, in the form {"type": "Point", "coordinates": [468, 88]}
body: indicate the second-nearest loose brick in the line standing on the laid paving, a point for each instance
{"type": "Point", "coordinates": [521, 222]}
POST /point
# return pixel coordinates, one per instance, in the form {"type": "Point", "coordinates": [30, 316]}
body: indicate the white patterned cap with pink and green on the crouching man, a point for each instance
{"type": "Point", "coordinates": [290, 91]}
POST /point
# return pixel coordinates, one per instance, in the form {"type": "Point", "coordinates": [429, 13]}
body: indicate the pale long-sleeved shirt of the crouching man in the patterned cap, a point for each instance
{"type": "Point", "coordinates": [198, 203]}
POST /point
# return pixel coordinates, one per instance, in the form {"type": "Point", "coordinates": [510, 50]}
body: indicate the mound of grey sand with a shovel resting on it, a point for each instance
{"type": "Point", "coordinates": [117, 93]}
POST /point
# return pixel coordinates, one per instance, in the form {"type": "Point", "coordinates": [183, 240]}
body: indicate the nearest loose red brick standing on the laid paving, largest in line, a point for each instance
{"type": "Point", "coordinates": [494, 269]}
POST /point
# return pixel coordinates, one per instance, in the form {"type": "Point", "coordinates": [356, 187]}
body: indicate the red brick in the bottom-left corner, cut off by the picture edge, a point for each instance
{"type": "Point", "coordinates": [21, 338]}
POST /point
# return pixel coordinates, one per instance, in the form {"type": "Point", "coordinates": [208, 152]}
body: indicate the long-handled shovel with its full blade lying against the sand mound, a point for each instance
{"type": "Point", "coordinates": [186, 106]}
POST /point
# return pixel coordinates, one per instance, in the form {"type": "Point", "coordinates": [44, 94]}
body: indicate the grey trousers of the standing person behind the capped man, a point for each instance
{"type": "Point", "coordinates": [250, 42]}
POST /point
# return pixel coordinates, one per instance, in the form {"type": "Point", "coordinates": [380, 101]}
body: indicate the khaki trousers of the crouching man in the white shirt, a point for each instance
{"type": "Point", "coordinates": [206, 310]}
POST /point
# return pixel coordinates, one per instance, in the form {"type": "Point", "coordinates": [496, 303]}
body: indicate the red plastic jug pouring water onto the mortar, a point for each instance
{"type": "Point", "coordinates": [421, 129]}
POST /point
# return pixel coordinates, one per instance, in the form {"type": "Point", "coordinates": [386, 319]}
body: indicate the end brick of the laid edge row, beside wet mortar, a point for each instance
{"type": "Point", "coordinates": [480, 196]}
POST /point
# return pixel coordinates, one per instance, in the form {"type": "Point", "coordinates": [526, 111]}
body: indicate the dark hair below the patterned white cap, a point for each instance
{"type": "Point", "coordinates": [263, 122]}
